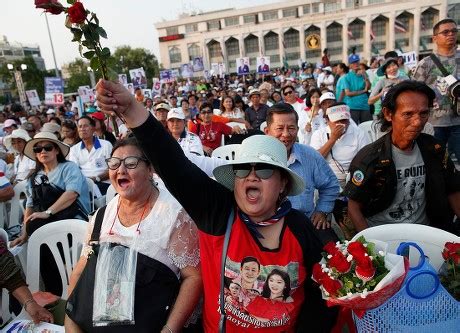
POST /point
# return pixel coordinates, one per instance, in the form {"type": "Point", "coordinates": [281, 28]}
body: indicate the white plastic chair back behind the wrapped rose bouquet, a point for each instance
{"type": "Point", "coordinates": [430, 239]}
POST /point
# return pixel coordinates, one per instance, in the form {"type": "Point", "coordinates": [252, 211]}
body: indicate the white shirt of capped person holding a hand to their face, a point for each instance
{"type": "Point", "coordinates": [344, 149]}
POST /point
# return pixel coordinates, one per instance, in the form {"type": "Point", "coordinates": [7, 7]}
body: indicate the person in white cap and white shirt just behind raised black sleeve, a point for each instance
{"type": "Point", "coordinates": [190, 142]}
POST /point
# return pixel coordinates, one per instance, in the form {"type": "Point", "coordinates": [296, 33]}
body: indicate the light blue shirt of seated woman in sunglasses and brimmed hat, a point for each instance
{"type": "Point", "coordinates": [68, 177]}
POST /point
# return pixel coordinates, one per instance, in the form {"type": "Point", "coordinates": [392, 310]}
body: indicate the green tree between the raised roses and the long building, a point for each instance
{"type": "Point", "coordinates": [125, 58]}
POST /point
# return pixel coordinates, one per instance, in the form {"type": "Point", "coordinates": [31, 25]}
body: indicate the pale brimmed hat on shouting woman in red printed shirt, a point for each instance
{"type": "Point", "coordinates": [259, 149]}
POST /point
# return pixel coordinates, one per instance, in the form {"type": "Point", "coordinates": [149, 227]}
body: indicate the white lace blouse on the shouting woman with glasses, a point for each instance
{"type": "Point", "coordinates": [167, 233]}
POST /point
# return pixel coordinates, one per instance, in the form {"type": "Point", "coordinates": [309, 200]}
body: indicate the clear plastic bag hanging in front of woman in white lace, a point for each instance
{"type": "Point", "coordinates": [114, 285]}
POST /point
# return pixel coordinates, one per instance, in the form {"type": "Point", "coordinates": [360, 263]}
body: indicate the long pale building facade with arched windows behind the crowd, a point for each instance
{"type": "Point", "coordinates": [299, 30]}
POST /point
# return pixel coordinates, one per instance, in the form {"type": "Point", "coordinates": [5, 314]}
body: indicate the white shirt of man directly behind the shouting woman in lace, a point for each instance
{"type": "Point", "coordinates": [92, 163]}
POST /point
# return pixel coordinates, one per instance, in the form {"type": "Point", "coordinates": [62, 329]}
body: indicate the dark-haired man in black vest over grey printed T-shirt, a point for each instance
{"type": "Point", "coordinates": [405, 176]}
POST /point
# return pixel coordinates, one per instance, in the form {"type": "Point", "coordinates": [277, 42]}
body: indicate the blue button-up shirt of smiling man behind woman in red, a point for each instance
{"type": "Point", "coordinates": [317, 175]}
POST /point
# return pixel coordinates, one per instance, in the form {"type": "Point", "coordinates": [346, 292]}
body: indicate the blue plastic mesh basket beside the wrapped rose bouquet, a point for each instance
{"type": "Point", "coordinates": [421, 305]}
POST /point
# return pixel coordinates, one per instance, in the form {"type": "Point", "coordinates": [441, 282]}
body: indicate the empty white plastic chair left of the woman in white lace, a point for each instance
{"type": "Point", "coordinates": [52, 234]}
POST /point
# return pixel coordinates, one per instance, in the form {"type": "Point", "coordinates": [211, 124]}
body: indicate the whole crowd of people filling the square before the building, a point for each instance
{"type": "Point", "coordinates": [322, 152]}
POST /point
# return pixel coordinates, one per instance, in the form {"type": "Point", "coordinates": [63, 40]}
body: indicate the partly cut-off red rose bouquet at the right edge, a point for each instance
{"type": "Point", "coordinates": [449, 274]}
